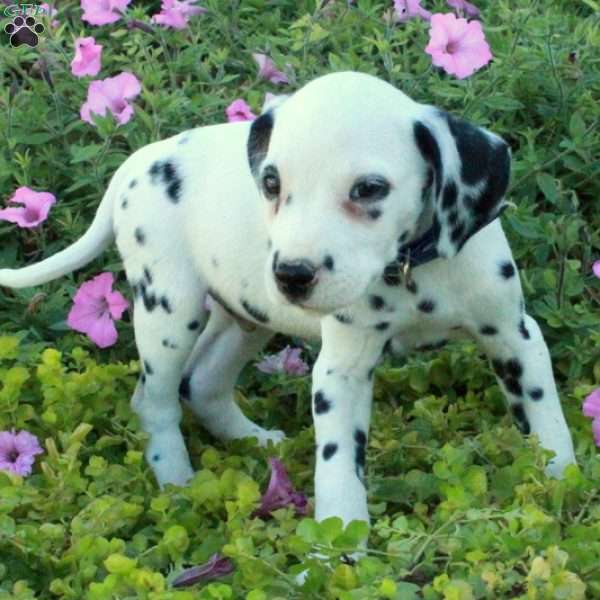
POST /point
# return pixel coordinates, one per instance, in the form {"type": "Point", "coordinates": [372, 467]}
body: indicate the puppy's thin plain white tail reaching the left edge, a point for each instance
{"type": "Point", "coordinates": [84, 250]}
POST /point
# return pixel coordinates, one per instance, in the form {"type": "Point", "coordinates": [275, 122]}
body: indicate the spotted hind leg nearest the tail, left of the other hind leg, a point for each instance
{"type": "Point", "coordinates": [168, 315]}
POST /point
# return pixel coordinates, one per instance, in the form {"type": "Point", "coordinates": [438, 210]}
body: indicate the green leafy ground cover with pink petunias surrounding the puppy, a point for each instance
{"type": "Point", "coordinates": [461, 508]}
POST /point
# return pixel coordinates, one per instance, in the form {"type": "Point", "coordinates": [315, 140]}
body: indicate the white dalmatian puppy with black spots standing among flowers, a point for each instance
{"type": "Point", "coordinates": [346, 212]}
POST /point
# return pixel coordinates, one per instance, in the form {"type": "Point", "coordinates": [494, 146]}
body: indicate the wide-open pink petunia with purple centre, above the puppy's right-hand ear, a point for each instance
{"type": "Point", "coordinates": [457, 45]}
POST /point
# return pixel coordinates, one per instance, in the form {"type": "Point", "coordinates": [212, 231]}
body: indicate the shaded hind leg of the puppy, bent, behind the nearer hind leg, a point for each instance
{"type": "Point", "coordinates": [221, 353]}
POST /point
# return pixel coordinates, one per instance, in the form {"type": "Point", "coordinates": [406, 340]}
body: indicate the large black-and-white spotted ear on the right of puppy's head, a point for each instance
{"type": "Point", "coordinates": [471, 170]}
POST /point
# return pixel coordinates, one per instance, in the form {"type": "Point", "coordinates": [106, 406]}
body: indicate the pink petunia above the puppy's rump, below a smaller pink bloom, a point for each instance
{"type": "Point", "coordinates": [111, 94]}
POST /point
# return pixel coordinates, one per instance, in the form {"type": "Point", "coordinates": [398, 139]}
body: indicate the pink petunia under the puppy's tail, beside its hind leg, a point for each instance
{"type": "Point", "coordinates": [95, 307]}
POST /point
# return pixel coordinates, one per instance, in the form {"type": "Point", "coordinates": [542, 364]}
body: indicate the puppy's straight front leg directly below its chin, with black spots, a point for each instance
{"type": "Point", "coordinates": [342, 395]}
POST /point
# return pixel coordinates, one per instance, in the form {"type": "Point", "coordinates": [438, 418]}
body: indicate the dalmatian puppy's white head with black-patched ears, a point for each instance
{"type": "Point", "coordinates": [350, 170]}
